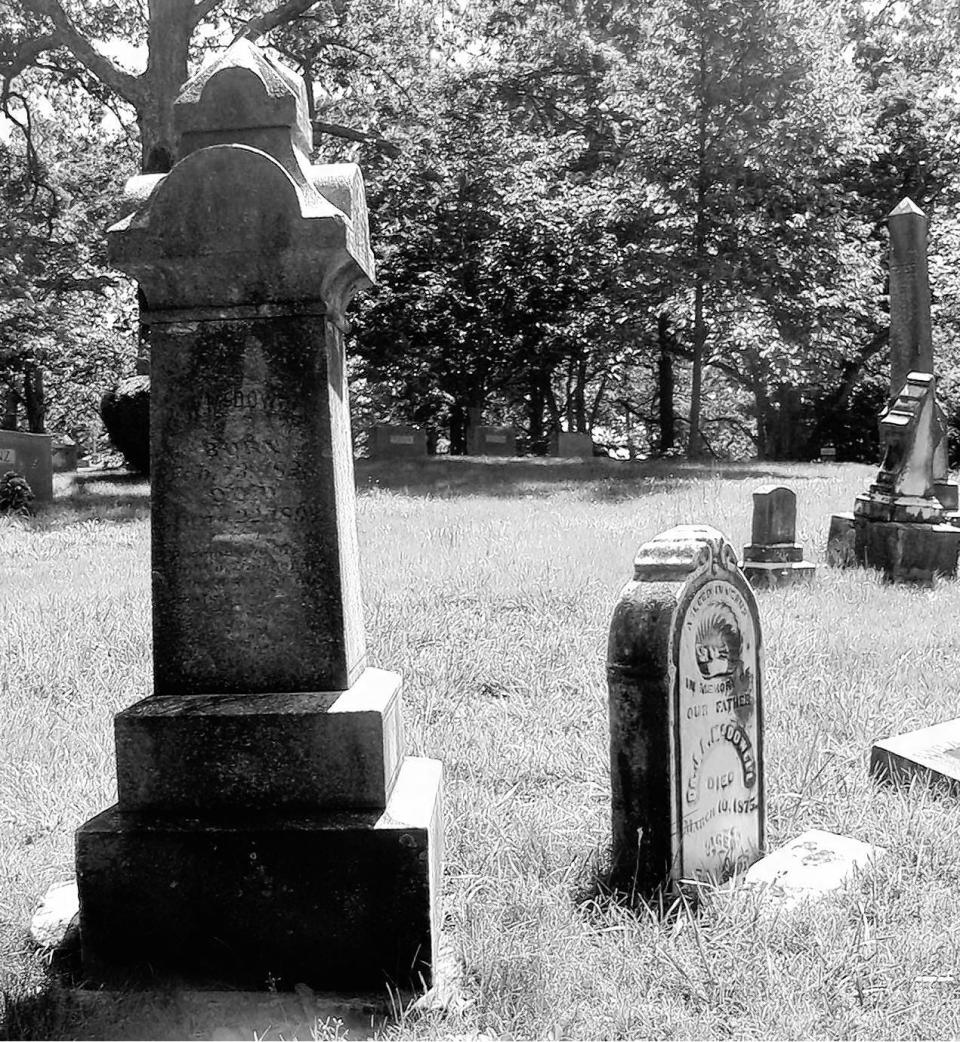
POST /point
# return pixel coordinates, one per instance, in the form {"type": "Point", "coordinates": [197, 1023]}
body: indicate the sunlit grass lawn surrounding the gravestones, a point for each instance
{"type": "Point", "coordinates": [490, 587]}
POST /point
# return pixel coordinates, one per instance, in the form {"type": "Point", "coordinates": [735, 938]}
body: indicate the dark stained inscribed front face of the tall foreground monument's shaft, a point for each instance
{"type": "Point", "coordinates": [247, 577]}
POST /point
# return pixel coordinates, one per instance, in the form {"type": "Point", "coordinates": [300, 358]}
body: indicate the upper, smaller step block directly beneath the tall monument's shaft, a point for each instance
{"type": "Point", "coordinates": [286, 753]}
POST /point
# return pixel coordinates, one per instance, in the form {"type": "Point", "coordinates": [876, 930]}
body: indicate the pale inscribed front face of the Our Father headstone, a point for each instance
{"type": "Point", "coordinates": [717, 729]}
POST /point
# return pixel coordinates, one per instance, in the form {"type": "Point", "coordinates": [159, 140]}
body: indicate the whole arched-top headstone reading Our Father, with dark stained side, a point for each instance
{"type": "Point", "coordinates": [684, 671]}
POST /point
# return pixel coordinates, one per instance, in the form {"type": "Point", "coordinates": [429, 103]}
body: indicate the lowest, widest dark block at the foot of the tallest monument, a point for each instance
{"type": "Point", "coordinates": [346, 900]}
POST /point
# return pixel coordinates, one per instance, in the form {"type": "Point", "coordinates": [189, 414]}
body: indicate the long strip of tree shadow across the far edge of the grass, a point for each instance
{"type": "Point", "coordinates": [601, 480]}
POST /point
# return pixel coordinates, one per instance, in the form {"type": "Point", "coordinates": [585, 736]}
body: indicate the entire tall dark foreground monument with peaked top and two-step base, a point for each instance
{"type": "Point", "coordinates": [269, 829]}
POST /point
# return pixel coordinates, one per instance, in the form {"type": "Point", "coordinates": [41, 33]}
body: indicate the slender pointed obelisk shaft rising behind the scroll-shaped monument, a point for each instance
{"type": "Point", "coordinates": [912, 343]}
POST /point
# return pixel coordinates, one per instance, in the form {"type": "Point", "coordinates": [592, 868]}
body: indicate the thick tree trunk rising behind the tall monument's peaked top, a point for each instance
{"type": "Point", "coordinates": [168, 43]}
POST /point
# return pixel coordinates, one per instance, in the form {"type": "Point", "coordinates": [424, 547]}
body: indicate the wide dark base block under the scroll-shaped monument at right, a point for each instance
{"type": "Point", "coordinates": [903, 552]}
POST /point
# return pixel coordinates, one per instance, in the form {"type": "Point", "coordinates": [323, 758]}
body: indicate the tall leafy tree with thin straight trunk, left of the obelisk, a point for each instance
{"type": "Point", "coordinates": [745, 117]}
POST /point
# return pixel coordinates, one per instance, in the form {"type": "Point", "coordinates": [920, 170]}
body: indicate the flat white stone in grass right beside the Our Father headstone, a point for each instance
{"type": "Point", "coordinates": [810, 867]}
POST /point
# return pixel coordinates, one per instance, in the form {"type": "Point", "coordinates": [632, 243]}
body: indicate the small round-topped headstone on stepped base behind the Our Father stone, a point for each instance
{"type": "Point", "coordinates": [774, 558]}
